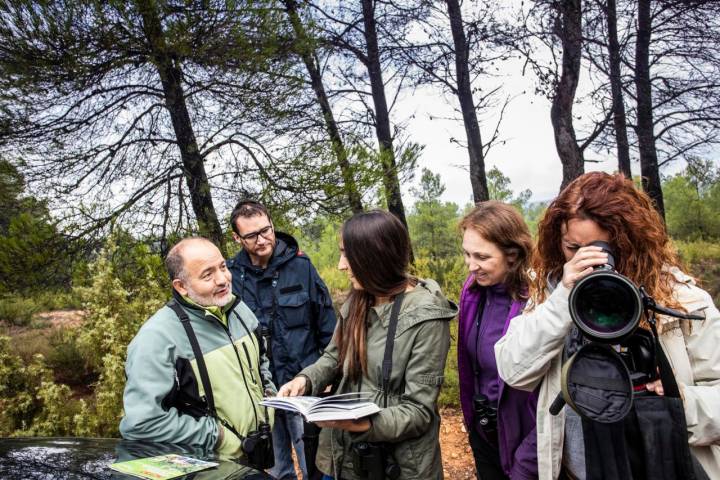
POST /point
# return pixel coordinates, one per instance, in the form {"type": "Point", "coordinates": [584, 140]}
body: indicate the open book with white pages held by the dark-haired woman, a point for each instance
{"type": "Point", "coordinates": [346, 406]}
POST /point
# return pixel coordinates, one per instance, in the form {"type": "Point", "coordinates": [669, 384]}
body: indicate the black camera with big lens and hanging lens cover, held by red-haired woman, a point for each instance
{"type": "Point", "coordinates": [615, 358]}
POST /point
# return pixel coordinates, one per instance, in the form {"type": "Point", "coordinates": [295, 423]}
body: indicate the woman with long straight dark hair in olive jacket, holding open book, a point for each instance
{"type": "Point", "coordinates": [375, 253]}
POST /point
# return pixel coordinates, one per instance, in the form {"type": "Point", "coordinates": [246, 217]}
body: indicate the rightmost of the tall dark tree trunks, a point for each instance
{"type": "Point", "coordinates": [649, 169]}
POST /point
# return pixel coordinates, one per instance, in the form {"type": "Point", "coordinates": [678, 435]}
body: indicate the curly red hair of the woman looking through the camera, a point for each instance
{"type": "Point", "coordinates": [643, 251]}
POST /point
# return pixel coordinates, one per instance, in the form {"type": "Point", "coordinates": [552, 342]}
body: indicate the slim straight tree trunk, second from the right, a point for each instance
{"type": "Point", "coordinates": [618, 104]}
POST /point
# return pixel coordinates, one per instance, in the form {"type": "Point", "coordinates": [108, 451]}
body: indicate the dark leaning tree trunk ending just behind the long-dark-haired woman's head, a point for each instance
{"type": "Point", "coordinates": [383, 131]}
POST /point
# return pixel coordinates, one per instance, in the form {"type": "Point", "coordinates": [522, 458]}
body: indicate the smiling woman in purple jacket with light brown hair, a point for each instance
{"type": "Point", "coordinates": [501, 420]}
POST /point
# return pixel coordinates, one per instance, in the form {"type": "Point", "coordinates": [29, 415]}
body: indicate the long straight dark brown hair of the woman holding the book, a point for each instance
{"type": "Point", "coordinates": [377, 247]}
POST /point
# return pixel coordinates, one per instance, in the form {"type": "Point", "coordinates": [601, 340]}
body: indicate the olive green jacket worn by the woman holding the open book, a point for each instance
{"type": "Point", "coordinates": [411, 421]}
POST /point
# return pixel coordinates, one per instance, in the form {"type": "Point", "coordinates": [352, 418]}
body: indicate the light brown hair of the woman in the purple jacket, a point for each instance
{"type": "Point", "coordinates": [503, 225]}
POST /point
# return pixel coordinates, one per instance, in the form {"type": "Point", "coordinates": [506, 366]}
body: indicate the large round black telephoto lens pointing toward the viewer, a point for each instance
{"type": "Point", "coordinates": [605, 305]}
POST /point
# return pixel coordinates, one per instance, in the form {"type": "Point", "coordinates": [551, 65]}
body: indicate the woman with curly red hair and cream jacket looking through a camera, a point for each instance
{"type": "Point", "coordinates": [609, 208]}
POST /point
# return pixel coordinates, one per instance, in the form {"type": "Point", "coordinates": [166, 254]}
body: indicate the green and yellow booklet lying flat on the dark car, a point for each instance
{"type": "Point", "coordinates": [162, 467]}
